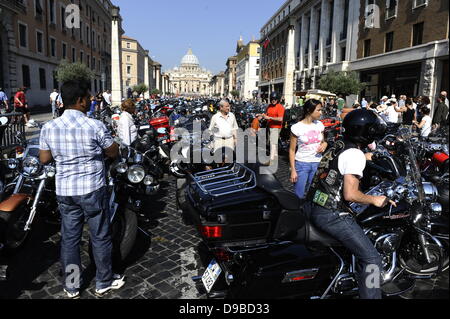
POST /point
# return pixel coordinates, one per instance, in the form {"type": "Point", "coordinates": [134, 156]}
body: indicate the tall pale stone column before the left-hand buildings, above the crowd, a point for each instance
{"type": "Point", "coordinates": [116, 58]}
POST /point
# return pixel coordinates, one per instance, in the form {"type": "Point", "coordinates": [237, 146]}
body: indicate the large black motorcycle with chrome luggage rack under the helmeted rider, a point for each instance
{"type": "Point", "coordinates": [259, 242]}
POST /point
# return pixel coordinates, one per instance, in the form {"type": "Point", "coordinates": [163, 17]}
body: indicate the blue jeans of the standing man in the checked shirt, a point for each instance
{"type": "Point", "coordinates": [75, 210]}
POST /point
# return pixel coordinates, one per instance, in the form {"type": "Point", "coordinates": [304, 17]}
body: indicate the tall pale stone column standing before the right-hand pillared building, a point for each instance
{"type": "Point", "coordinates": [290, 63]}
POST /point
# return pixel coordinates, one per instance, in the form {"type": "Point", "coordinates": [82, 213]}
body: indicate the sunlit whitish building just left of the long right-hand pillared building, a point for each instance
{"type": "Point", "coordinates": [247, 70]}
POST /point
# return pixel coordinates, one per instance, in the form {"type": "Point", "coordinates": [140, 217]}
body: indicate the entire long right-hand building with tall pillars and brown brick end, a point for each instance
{"type": "Point", "coordinates": [397, 47]}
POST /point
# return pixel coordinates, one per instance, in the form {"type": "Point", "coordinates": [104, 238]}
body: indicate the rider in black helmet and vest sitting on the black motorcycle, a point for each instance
{"type": "Point", "coordinates": [336, 186]}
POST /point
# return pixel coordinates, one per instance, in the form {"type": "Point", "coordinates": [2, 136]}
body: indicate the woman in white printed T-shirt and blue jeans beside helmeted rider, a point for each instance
{"type": "Point", "coordinates": [308, 136]}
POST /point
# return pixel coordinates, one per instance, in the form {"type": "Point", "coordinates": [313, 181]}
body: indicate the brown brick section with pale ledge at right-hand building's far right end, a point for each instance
{"type": "Point", "coordinates": [403, 47]}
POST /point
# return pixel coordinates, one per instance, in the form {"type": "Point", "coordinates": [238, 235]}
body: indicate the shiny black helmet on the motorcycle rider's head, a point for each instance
{"type": "Point", "coordinates": [363, 127]}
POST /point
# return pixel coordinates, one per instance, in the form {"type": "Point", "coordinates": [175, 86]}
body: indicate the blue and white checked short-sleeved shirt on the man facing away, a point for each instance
{"type": "Point", "coordinates": [77, 143]}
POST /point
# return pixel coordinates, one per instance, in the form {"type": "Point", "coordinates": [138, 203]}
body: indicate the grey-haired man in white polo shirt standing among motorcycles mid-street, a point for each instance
{"type": "Point", "coordinates": [224, 127]}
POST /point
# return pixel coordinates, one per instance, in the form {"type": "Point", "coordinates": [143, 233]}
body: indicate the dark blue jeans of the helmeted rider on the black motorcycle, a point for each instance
{"type": "Point", "coordinates": [350, 234]}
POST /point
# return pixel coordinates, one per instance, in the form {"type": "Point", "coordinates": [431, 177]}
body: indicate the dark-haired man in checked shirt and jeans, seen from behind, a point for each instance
{"type": "Point", "coordinates": [78, 145]}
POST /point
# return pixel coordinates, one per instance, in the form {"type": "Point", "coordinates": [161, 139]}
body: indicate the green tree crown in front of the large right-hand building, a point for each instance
{"type": "Point", "coordinates": [345, 83]}
